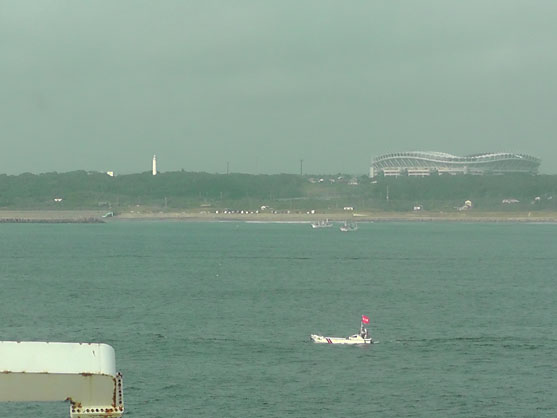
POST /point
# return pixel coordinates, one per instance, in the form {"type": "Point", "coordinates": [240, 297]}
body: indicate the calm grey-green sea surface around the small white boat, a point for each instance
{"type": "Point", "coordinates": [213, 319]}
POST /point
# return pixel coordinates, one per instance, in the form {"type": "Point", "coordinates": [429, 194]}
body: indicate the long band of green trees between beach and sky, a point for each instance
{"type": "Point", "coordinates": [183, 190]}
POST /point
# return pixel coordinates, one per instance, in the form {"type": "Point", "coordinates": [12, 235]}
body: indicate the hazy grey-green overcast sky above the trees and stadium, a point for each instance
{"type": "Point", "coordinates": [102, 85]}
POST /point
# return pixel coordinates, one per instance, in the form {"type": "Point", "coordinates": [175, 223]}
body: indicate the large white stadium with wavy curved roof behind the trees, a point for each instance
{"type": "Point", "coordinates": [421, 163]}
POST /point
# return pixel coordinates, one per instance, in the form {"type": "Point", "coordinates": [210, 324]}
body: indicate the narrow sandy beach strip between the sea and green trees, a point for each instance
{"type": "Point", "coordinates": [88, 216]}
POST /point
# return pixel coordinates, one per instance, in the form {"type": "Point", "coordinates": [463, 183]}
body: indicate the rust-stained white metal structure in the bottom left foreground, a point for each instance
{"type": "Point", "coordinates": [82, 373]}
